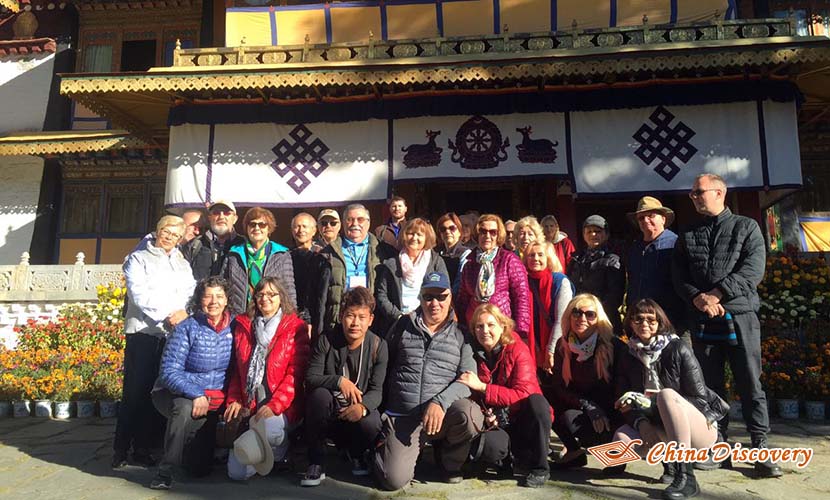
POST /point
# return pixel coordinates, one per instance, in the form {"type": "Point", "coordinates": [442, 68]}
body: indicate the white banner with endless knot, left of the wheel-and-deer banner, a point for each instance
{"type": "Point", "coordinates": [278, 165]}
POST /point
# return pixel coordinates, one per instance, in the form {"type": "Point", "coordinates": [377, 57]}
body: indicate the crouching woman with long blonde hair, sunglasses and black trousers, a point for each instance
{"type": "Point", "coordinates": [582, 392]}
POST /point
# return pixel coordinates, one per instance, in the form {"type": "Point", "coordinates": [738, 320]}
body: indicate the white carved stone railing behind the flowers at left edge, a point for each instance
{"type": "Point", "coordinates": [37, 292]}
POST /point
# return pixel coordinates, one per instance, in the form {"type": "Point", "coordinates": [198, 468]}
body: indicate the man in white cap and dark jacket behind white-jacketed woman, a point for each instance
{"type": "Point", "coordinates": [207, 252]}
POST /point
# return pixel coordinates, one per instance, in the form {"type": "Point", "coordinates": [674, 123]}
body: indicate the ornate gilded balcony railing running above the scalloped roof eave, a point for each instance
{"type": "Point", "coordinates": [516, 43]}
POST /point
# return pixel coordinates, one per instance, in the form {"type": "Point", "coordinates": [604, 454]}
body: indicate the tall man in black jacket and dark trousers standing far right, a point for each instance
{"type": "Point", "coordinates": [717, 266]}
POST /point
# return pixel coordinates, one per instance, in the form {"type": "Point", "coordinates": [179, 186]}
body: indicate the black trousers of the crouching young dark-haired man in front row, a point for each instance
{"type": "Point", "coordinates": [321, 422]}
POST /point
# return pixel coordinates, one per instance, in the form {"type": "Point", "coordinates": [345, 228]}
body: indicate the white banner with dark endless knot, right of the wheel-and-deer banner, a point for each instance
{"type": "Point", "coordinates": [663, 148]}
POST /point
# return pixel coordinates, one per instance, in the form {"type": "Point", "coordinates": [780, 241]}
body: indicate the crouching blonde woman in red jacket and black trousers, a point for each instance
{"type": "Point", "coordinates": [517, 416]}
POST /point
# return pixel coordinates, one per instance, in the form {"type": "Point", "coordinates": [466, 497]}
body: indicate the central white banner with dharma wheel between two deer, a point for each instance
{"type": "Point", "coordinates": [479, 146]}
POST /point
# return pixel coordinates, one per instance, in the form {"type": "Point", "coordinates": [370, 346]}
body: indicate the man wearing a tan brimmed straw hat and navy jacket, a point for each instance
{"type": "Point", "coordinates": [649, 261]}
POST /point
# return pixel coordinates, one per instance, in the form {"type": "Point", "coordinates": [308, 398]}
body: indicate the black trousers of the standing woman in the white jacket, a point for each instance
{"type": "Point", "coordinates": [139, 425]}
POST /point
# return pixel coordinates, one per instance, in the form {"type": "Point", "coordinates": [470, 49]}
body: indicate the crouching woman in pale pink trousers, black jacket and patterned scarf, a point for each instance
{"type": "Point", "coordinates": [662, 394]}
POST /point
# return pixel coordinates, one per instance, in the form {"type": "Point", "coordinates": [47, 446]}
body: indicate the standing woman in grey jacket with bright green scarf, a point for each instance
{"type": "Point", "coordinates": [256, 258]}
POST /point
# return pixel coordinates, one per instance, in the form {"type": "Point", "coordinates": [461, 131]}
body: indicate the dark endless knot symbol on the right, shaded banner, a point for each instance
{"type": "Point", "coordinates": [664, 143]}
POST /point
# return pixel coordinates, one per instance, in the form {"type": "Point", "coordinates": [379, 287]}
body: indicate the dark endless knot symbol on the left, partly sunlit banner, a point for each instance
{"type": "Point", "coordinates": [300, 158]}
